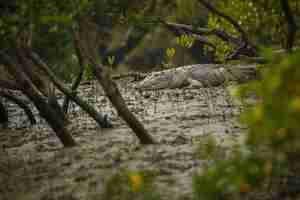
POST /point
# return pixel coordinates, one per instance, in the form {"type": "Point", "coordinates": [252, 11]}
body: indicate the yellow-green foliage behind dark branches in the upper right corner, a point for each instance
{"type": "Point", "coordinates": [262, 20]}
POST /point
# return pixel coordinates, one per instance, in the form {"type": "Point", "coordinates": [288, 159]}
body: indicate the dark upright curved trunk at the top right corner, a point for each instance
{"type": "Point", "coordinates": [292, 27]}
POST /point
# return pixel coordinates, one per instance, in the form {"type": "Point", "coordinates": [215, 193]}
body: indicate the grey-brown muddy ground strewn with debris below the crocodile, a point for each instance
{"type": "Point", "coordinates": [35, 166]}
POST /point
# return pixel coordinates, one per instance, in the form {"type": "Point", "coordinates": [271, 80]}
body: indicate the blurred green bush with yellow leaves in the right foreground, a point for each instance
{"type": "Point", "coordinates": [272, 143]}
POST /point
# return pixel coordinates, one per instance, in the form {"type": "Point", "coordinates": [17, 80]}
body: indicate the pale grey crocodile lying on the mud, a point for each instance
{"type": "Point", "coordinates": [199, 75]}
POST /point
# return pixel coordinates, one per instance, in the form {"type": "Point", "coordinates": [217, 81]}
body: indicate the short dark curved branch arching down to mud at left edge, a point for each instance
{"type": "Point", "coordinates": [21, 104]}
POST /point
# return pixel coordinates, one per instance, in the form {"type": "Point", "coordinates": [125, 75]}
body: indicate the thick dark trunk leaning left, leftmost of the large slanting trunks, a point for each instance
{"type": "Point", "coordinates": [45, 110]}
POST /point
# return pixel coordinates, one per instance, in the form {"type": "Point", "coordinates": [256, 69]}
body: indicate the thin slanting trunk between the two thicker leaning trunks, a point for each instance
{"type": "Point", "coordinates": [101, 120]}
